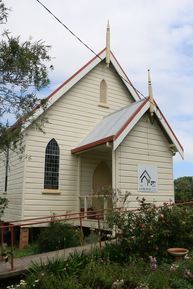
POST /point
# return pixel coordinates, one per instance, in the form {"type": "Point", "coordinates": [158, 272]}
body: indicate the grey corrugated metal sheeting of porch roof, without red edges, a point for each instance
{"type": "Point", "coordinates": [111, 124]}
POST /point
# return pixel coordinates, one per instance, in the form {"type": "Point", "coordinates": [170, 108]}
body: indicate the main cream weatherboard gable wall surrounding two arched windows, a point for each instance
{"type": "Point", "coordinates": [70, 119]}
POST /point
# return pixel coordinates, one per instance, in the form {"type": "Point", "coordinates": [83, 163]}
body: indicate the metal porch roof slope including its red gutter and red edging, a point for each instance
{"type": "Point", "coordinates": [112, 126]}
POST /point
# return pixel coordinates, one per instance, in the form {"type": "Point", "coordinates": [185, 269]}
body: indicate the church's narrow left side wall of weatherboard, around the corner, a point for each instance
{"type": "Point", "coordinates": [15, 186]}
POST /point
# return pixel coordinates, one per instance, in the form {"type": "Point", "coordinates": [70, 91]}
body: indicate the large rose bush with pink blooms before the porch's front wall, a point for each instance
{"type": "Point", "coordinates": [151, 230]}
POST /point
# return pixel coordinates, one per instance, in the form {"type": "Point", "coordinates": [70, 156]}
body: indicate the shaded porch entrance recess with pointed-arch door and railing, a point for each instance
{"type": "Point", "coordinates": [95, 181]}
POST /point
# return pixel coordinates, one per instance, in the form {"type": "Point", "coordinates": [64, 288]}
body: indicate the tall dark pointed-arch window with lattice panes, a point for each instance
{"type": "Point", "coordinates": [51, 171]}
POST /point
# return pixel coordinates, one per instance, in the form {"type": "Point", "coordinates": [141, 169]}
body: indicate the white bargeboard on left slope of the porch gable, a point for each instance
{"type": "Point", "coordinates": [125, 132]}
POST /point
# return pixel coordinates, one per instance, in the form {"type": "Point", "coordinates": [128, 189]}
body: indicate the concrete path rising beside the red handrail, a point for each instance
{"type": "Point", "coordinates": [22, 264]}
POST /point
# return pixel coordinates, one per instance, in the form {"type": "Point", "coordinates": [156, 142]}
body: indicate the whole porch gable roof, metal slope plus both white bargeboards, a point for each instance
{"type": "Point", "coordinates": [116, 126]}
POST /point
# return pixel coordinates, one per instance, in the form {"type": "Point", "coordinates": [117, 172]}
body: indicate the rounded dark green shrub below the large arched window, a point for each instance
{"type": "Point", "coordinates": [57, 236]}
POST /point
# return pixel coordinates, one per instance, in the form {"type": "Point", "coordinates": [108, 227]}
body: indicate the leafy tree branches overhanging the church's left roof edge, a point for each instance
{"type": "Point", "coordinates": [23, 72]}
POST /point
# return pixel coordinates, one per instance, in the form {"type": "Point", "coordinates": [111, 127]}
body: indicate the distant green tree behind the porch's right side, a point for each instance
{"type": "Point", "coordinates": [183, 189]}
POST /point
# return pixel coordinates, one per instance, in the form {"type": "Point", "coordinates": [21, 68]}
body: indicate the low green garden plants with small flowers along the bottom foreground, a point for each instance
{"type": "Point", "coordinates": [90, 271]}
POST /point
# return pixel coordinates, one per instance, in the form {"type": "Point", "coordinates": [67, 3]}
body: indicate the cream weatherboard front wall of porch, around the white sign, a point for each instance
{"type": "Point", "coordinates": [145, 144]}
